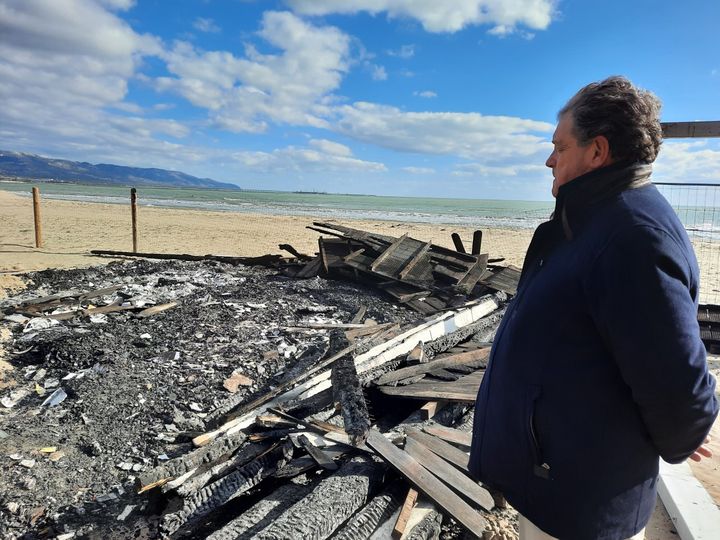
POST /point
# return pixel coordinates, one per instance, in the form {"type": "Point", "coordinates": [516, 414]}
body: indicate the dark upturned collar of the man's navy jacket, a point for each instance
{"type": "Point", "coordinates": [575, 198]}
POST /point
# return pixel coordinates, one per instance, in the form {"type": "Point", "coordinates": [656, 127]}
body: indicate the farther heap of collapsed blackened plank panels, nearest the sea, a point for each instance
{"type": "Point", "coordinates": [426, 277]}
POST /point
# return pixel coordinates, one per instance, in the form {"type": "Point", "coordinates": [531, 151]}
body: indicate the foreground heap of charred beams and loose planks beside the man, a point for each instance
{"type": "Point", "coordinates": [326, 465]}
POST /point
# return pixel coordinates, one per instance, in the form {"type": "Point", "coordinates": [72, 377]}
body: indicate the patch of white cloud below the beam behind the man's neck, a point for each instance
{"type": "Point", "coordinates": [693, 161]}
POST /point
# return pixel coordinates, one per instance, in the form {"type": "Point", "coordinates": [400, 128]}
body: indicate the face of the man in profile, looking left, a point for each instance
{"type": "Point", "coordinates": [568, 160]}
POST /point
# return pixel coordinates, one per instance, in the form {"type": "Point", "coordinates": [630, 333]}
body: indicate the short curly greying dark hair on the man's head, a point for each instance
{"type": "Point", "coordinates": [628, 116]}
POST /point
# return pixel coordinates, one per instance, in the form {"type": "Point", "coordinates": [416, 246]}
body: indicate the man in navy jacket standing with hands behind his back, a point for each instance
{"type": "Point", "coordinates": [597, 368]}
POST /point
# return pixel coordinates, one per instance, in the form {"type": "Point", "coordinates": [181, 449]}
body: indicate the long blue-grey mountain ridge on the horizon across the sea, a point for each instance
{"type": "Point", "coordinates": [61, 170]}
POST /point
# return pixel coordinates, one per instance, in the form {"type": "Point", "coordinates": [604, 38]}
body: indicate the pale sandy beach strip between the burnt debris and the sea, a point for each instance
{"type": "Point", "coordinates": [72, 229]}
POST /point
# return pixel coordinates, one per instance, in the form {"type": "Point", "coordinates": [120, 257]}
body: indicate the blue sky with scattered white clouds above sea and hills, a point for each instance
{"type": "Point", "coordinates": [428, 98]}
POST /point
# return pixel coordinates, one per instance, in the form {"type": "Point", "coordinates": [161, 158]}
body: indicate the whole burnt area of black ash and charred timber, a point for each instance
{"type": "Point", "coordinates": [201, 399]}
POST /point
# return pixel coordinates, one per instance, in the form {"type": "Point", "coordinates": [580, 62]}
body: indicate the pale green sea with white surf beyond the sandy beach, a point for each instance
{"type": "Point", "coordinates": [697, 206]}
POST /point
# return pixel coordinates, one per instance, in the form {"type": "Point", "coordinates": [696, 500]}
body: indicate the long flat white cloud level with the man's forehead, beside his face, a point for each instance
{"type": "Point", "coordinates": [467, 135]}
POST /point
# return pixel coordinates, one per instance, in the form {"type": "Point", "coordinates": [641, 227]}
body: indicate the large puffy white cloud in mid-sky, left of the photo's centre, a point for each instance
{"type": "Point", "coordinates": [243, 94]}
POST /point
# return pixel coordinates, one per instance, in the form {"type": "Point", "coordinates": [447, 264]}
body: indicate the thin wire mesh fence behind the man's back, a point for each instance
{"type": "Point", "coordinates": [698, 206]}
